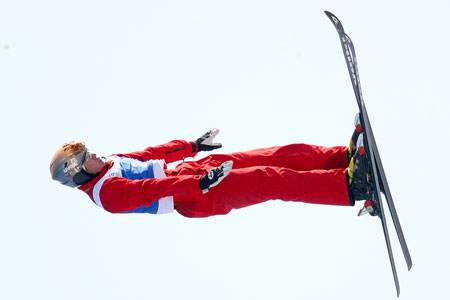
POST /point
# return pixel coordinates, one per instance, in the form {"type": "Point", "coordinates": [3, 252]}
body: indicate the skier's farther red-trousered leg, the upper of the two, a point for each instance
{"type": "Point", "coordinates": [301, 157]}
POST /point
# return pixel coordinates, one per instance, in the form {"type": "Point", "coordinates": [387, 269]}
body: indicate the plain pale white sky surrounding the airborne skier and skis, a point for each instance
{"type": "Point", "coordinates": [125, 75]}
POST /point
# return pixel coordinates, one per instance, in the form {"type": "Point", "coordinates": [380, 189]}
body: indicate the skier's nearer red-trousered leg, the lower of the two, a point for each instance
{"type": "Point", "coordinates": [248, 186]}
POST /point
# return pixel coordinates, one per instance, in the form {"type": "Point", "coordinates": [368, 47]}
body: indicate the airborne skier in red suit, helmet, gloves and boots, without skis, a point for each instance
{"type": "Point", "coordinates": [140, 182]}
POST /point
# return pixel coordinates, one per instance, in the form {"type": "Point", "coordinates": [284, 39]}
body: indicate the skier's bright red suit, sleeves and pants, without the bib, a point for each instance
{"type": "Point", "coordinates": [296, 172]}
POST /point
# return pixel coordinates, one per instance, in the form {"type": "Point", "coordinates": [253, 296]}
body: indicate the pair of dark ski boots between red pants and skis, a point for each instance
{"type": "Point", "coordinates": [359, 179]}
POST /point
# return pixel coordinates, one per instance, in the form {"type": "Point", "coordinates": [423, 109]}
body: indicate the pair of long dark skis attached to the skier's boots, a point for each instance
{"type": "Point", "coordinates": [381, 184]}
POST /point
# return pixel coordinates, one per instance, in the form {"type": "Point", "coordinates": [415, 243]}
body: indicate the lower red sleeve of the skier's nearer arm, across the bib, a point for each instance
{"type": "Point", "coordinates": [120, 194]}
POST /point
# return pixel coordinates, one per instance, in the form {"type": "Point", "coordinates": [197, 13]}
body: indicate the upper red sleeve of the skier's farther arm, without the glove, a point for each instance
{"type": "Point", "coordinates": [170, 152]}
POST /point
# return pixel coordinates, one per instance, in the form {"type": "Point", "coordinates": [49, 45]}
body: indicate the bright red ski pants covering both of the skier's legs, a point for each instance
{"type": "Point", "coordinates": [297, 172]}
